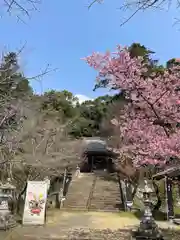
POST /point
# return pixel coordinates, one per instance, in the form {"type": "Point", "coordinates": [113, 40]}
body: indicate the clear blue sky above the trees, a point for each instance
{"type": "Point", "coordinates": [62, 32]}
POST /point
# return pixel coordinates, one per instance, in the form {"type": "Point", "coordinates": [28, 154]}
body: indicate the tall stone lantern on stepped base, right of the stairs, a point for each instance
{"type": "Point", "coordinates": [148, 229]}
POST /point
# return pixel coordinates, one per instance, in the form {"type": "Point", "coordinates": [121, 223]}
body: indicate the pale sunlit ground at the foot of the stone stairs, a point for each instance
{"type": "Point", "coordinates": [58, 223]}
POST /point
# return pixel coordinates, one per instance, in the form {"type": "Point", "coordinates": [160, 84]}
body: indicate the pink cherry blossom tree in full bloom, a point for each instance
{"type": "Point", "coordinates": [149, 123]}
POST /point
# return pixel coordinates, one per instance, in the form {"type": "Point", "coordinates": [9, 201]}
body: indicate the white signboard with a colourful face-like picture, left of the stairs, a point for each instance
{"type": "Point", "coordinates": [35, 203]}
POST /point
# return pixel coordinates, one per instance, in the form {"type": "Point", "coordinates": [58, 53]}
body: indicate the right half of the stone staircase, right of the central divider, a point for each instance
{"type": "Point", "coordinates": [106, 194]}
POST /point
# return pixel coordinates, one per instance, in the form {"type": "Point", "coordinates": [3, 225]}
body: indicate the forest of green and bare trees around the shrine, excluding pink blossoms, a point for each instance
{"type": "Point", "coordinates": [45, 130]}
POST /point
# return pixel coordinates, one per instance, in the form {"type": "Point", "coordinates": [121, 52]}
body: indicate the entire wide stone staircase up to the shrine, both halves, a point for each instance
{"type": "Point", "coordinates": [106, 195]}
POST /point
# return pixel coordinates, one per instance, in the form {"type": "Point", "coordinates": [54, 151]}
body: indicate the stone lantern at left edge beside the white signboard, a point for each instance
{"type": "Point", "coordinates": [7, 200]}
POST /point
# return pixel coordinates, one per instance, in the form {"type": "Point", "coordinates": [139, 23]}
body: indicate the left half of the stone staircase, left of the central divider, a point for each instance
{"type": "Point", "coordinates": [79, 192]}
